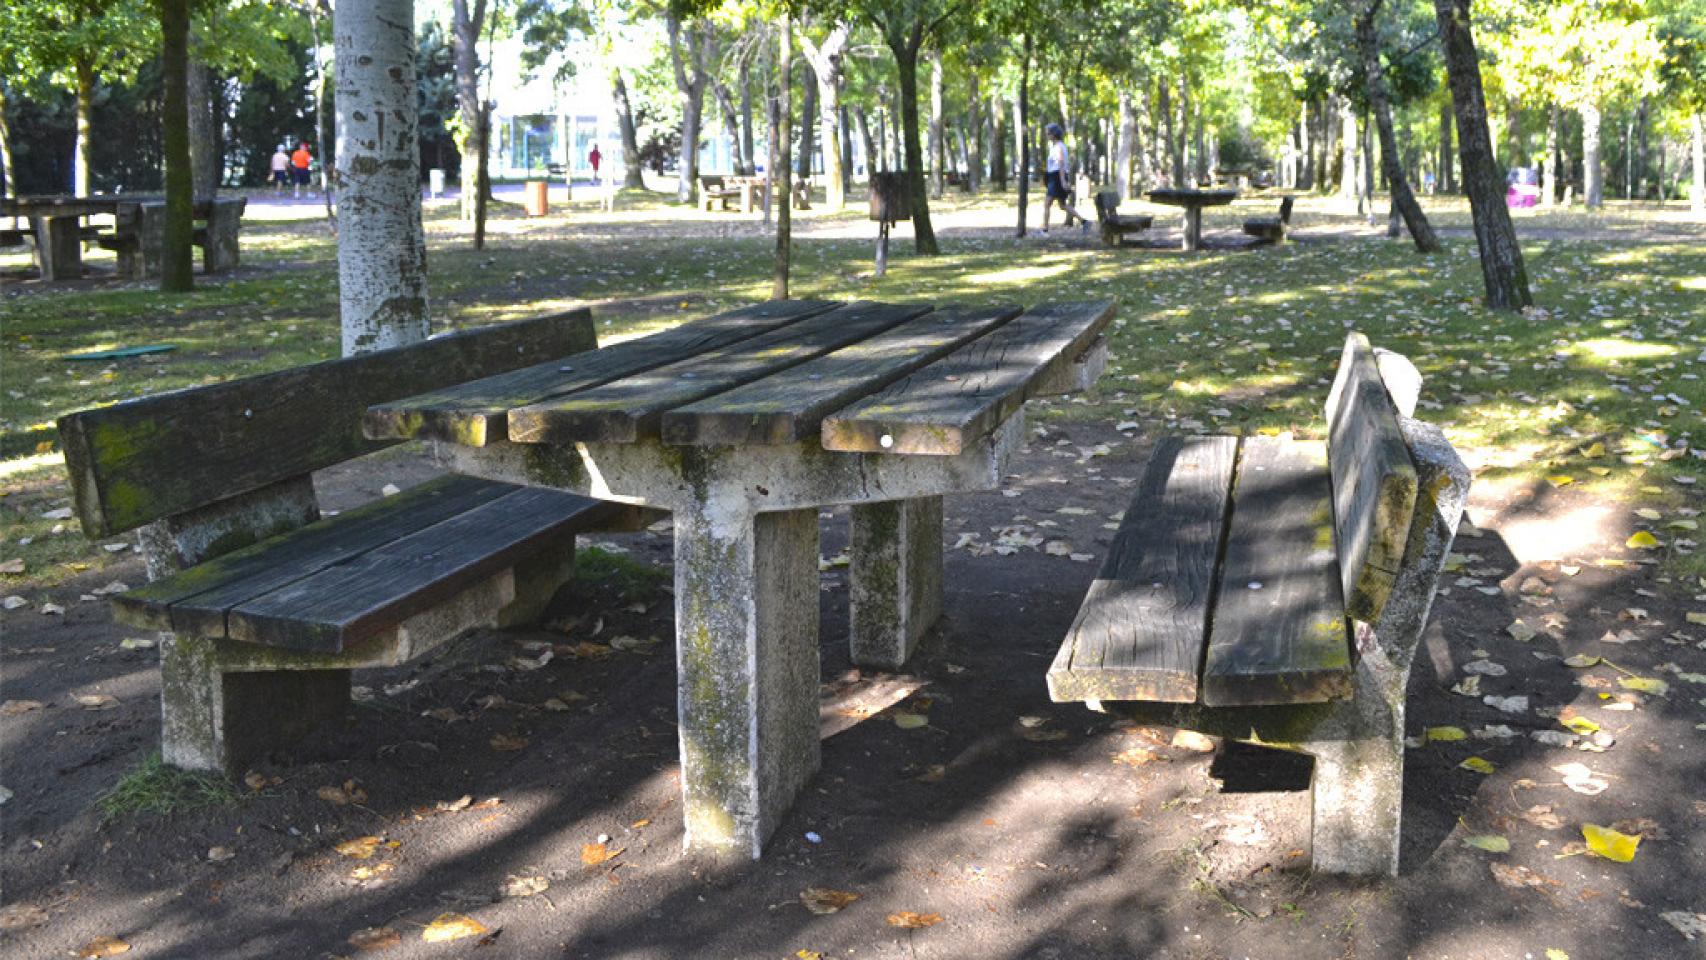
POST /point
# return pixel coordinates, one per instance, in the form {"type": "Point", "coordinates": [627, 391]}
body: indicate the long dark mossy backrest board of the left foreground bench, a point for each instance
{"type": "Point", "coordinates": [154, 458]}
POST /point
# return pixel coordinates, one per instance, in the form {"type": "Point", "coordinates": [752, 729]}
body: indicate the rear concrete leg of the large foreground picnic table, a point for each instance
{"type": "Point", "coordinates": [897, 591]}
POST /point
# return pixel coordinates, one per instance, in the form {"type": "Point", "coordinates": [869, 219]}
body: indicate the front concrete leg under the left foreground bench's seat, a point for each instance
{"type": "Point", "coordinates": [218, 720]}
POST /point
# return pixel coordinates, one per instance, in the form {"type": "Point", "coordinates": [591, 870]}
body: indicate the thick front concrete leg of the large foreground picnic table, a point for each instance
{"type": "Point", "coordinates": [746, 645]}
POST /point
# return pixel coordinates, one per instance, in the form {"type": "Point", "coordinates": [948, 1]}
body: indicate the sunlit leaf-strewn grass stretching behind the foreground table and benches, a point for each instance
{"type": "Point", "coordinates": [1598, 390]}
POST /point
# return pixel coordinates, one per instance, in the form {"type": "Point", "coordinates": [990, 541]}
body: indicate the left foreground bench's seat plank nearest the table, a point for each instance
{"type": "Point", "coordinates": [344, 604]}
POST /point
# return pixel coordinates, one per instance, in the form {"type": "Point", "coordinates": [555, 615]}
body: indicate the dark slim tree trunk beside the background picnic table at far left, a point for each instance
{"type": "Point", "coordinates": [177, 262]}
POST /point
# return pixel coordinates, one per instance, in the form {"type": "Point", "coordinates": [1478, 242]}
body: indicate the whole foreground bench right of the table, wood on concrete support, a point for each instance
{"type": "Point", "coordinates": [1275, 591]}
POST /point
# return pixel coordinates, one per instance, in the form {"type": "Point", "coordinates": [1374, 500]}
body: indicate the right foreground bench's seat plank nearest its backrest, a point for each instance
{"type": "Point", "coordinates": [1279, 632]}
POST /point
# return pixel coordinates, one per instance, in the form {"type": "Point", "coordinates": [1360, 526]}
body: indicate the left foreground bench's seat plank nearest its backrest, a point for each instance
{"type": "Point", "coordinates": [195, 601]}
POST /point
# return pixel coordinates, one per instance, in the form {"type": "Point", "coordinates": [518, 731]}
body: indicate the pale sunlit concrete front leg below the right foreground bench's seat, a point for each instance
{"type": "Point", "coordinates": [1359, 799]}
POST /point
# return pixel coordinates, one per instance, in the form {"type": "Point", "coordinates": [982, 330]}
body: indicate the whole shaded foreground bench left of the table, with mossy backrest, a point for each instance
{"type": "Point", "coordinates": [269, 604]}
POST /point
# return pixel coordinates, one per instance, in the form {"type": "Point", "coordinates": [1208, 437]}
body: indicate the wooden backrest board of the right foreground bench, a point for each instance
{"type": "Point", "coordinates": [1374, 482]}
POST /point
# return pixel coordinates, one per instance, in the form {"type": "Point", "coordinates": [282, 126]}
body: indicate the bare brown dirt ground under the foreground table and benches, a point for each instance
{"type": "Point", "coordinates": [1031, 830]}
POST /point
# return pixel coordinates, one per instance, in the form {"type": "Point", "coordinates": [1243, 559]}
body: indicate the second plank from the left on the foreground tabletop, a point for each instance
{"type": "Point", "coordinates": [634, 407]}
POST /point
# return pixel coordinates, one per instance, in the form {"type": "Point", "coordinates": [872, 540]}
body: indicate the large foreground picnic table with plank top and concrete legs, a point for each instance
{"type": "Point", "coordinates": [745, 425]}
